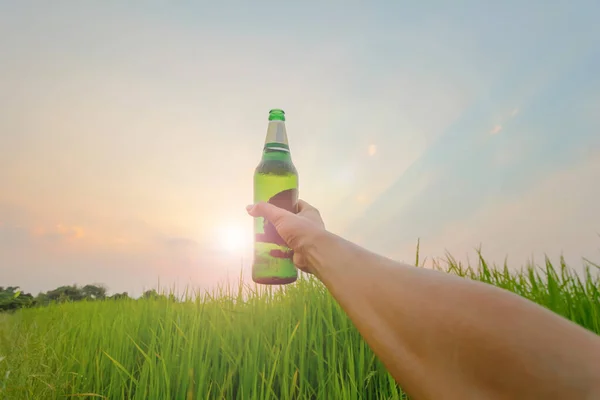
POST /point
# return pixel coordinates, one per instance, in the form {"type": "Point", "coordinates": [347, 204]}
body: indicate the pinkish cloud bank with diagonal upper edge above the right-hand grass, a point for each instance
{"type": "Point", "coordinates": [557, 215]}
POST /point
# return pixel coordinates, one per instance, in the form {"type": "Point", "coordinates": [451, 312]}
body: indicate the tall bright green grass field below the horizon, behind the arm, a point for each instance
{"type": "Point", "coordinates": [235, 344]}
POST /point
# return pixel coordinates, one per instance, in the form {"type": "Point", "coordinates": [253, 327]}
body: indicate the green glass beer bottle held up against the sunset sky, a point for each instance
{"type": "Point", "coordinates": [276, 182]}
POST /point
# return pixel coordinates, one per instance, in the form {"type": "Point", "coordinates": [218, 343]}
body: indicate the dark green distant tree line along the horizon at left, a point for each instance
{"type": "Point", "coordinates": [12, 298]}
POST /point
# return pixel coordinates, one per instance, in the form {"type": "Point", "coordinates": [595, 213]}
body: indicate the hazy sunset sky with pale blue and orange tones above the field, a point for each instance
{"type": "Point", "coordinates": [129, 133]}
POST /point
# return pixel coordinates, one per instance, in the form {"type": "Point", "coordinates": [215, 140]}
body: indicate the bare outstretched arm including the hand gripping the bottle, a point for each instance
{"type": "Point", "coordinates": [441, 336]}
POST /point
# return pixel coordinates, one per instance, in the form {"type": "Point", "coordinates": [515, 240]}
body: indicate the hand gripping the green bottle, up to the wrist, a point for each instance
{"type": "Point", "coordinates": [299, 231]}
